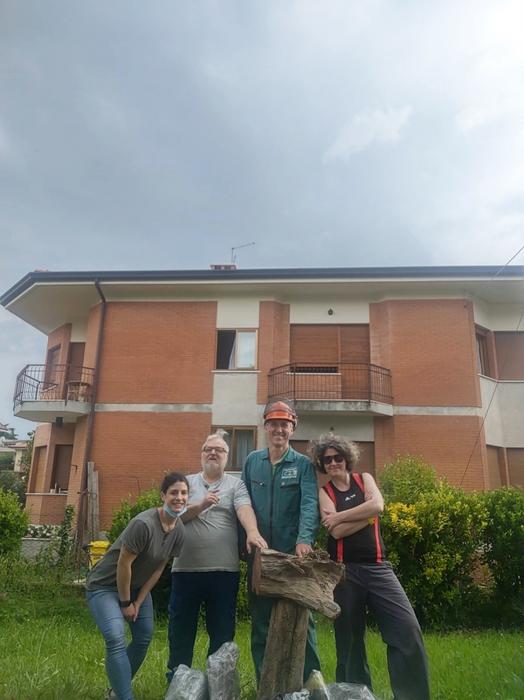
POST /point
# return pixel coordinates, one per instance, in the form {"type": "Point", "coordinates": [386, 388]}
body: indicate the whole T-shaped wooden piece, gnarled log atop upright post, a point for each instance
{"type": "Point", "coordinates": [299, 584]}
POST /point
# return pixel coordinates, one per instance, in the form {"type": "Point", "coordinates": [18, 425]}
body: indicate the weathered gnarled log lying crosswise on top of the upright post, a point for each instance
{"type": "Point", "coordinates": [308, 580]}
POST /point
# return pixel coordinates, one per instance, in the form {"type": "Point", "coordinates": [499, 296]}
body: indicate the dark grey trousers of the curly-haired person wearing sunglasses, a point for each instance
{"type": "Point", "coordinates": [375, 586]}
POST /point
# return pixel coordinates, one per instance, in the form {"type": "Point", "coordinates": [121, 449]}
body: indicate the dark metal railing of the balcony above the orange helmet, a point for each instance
{"type": "Point", "coordinates": [341, 381]}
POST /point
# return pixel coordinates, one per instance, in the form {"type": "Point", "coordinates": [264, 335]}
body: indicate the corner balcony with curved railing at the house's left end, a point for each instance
{"type": "Point", "coordinates": [44, 393]}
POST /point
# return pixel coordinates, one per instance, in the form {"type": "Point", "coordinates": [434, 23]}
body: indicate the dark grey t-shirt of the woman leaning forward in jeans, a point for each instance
{"type": "Point", "coordinates": [144, 536]}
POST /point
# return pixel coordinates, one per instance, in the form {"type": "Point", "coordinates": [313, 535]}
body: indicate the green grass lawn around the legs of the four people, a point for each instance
{"type": "Point", "coordinates": [50, 649]}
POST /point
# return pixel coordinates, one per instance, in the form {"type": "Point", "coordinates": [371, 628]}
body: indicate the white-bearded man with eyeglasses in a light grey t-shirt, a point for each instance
{"type": "Point", "coordinates": [207, 570]}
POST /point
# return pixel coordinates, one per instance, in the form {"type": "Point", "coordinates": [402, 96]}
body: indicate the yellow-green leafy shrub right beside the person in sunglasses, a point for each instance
{"type": "Point", "coordinates": [433, 544]}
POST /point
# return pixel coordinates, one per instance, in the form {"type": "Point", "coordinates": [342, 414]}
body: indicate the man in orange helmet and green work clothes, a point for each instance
{"type": "Point", "coordinates": [283, 489]}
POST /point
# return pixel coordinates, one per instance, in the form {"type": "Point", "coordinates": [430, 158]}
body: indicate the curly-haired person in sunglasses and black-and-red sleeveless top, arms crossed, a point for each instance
{"type": "Point", "coordinates": [350, 506]}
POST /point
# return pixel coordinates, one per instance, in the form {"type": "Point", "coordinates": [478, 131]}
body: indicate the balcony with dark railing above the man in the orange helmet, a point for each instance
{"type": "Point", "coordinates": [342, 387]}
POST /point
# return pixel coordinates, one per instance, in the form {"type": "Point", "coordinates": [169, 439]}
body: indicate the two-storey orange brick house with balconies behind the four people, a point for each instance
{"type": "Point", "coordinates": [140, 366]}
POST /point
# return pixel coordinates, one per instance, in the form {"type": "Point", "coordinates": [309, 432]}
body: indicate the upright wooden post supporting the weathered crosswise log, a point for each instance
{"type": "Point", "coordinates": [283, 667]}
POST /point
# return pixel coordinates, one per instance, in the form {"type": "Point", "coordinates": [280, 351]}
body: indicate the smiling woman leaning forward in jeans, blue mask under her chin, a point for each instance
{"type": "Point", "coordinates": [118, 587]}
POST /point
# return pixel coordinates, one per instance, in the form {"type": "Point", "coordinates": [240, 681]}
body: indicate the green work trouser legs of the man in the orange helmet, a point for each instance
{"type": "Point", "coordinates": [260, 608]}
